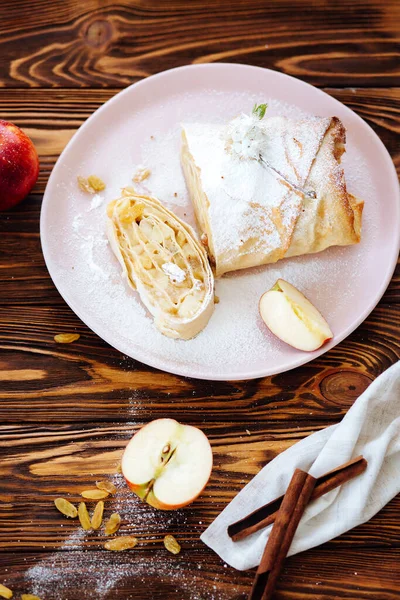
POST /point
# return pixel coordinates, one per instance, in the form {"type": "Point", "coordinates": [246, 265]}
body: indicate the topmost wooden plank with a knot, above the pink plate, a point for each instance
{"type": "Point", "coordinates": [94, 44]}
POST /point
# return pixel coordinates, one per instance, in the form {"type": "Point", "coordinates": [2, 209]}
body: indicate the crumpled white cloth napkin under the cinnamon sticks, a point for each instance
{"type": "Point", "coordinates": [371, 428]}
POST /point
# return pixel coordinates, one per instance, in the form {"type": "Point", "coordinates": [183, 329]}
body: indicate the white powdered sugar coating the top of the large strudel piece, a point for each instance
{"type": "Point", "coordinates": [245, 195]}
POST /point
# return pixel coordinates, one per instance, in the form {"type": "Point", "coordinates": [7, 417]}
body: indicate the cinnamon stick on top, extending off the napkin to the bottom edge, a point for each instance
{"type": "Point", "coordinates": [290, 512]}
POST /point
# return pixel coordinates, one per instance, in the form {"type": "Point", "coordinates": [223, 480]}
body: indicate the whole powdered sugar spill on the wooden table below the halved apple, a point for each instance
{"type": "Point", "coordinates": [69, 570]}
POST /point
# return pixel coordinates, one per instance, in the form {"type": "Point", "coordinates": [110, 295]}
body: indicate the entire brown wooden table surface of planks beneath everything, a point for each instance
{"type": "Point", "coordinates": [67, 411]}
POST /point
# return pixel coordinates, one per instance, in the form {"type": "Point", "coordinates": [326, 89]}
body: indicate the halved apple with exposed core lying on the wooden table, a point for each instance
{"type": "Point", "coordinates": [167, 464]}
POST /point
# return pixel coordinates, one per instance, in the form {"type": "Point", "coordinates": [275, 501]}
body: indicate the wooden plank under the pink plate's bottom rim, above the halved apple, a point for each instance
{"type": "Point", "coordinates": [48, 382]}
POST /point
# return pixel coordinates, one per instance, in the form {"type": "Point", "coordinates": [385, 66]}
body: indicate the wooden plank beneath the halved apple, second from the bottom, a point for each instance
{"type": "Point", "coordinates": [48, 462]}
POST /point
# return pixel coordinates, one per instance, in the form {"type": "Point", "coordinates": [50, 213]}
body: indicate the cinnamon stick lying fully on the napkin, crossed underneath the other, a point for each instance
{"type": "Point", "coordinates": [265, 515]}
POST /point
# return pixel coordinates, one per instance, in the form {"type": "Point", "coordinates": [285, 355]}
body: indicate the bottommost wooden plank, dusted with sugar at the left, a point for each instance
{"type": "Point", "coordinates": [319, 574]}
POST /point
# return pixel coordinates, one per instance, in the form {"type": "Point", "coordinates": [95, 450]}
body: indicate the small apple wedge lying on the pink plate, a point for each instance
{"type": "Point", "coordinates": [292, 318]}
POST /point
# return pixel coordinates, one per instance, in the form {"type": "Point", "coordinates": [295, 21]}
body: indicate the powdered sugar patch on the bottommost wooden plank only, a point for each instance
{"type": "Point", "coordinates": [63, 575]}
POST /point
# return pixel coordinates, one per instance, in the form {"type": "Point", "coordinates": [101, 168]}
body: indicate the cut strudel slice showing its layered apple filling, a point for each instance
{"type": "Point", "coordinates": [163, 261]}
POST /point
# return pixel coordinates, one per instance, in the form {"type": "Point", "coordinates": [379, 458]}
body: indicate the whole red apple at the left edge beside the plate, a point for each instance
{"type": "Point", "coordinates": [19, 165]}
